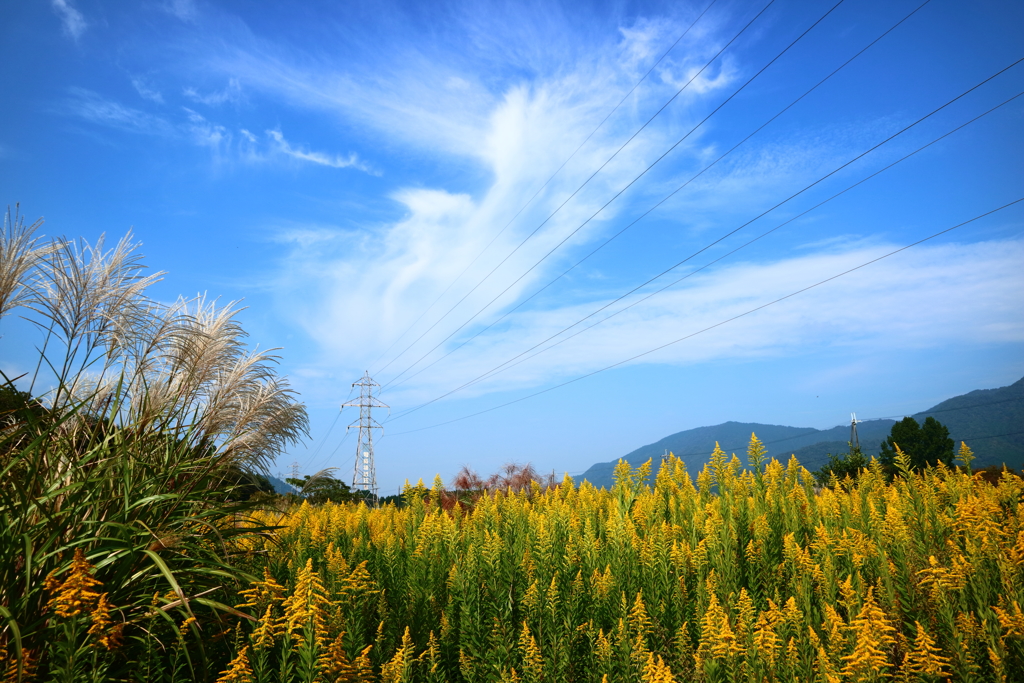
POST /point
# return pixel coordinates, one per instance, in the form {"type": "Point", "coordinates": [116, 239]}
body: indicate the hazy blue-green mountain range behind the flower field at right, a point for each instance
{"type": "Point", "coordinates": [992, 421]}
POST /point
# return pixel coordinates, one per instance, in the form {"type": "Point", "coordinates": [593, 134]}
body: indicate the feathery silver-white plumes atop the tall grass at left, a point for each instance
{"type": "Point", "coordinates": [183, 369]}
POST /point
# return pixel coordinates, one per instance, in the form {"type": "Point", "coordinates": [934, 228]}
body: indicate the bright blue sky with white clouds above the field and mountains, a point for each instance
{"type": "Point", "coordinates": [344, 167]}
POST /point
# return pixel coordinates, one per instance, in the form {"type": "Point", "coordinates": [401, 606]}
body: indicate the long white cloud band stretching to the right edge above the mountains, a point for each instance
{"type": "Point", "coordinates": [928, 297]}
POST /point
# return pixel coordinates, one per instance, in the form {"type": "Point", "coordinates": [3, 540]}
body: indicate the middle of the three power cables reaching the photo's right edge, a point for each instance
{"type": "Point", "coordinates": [511, 363]}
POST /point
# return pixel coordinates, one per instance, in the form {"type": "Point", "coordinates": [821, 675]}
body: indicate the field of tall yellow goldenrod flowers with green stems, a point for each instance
{"type": "Point", "coordinates": [746, 575]}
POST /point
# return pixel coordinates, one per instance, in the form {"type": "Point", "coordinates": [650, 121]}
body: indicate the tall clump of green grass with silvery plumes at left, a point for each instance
{"type": "Point", "coordinates": [119, 467]}
